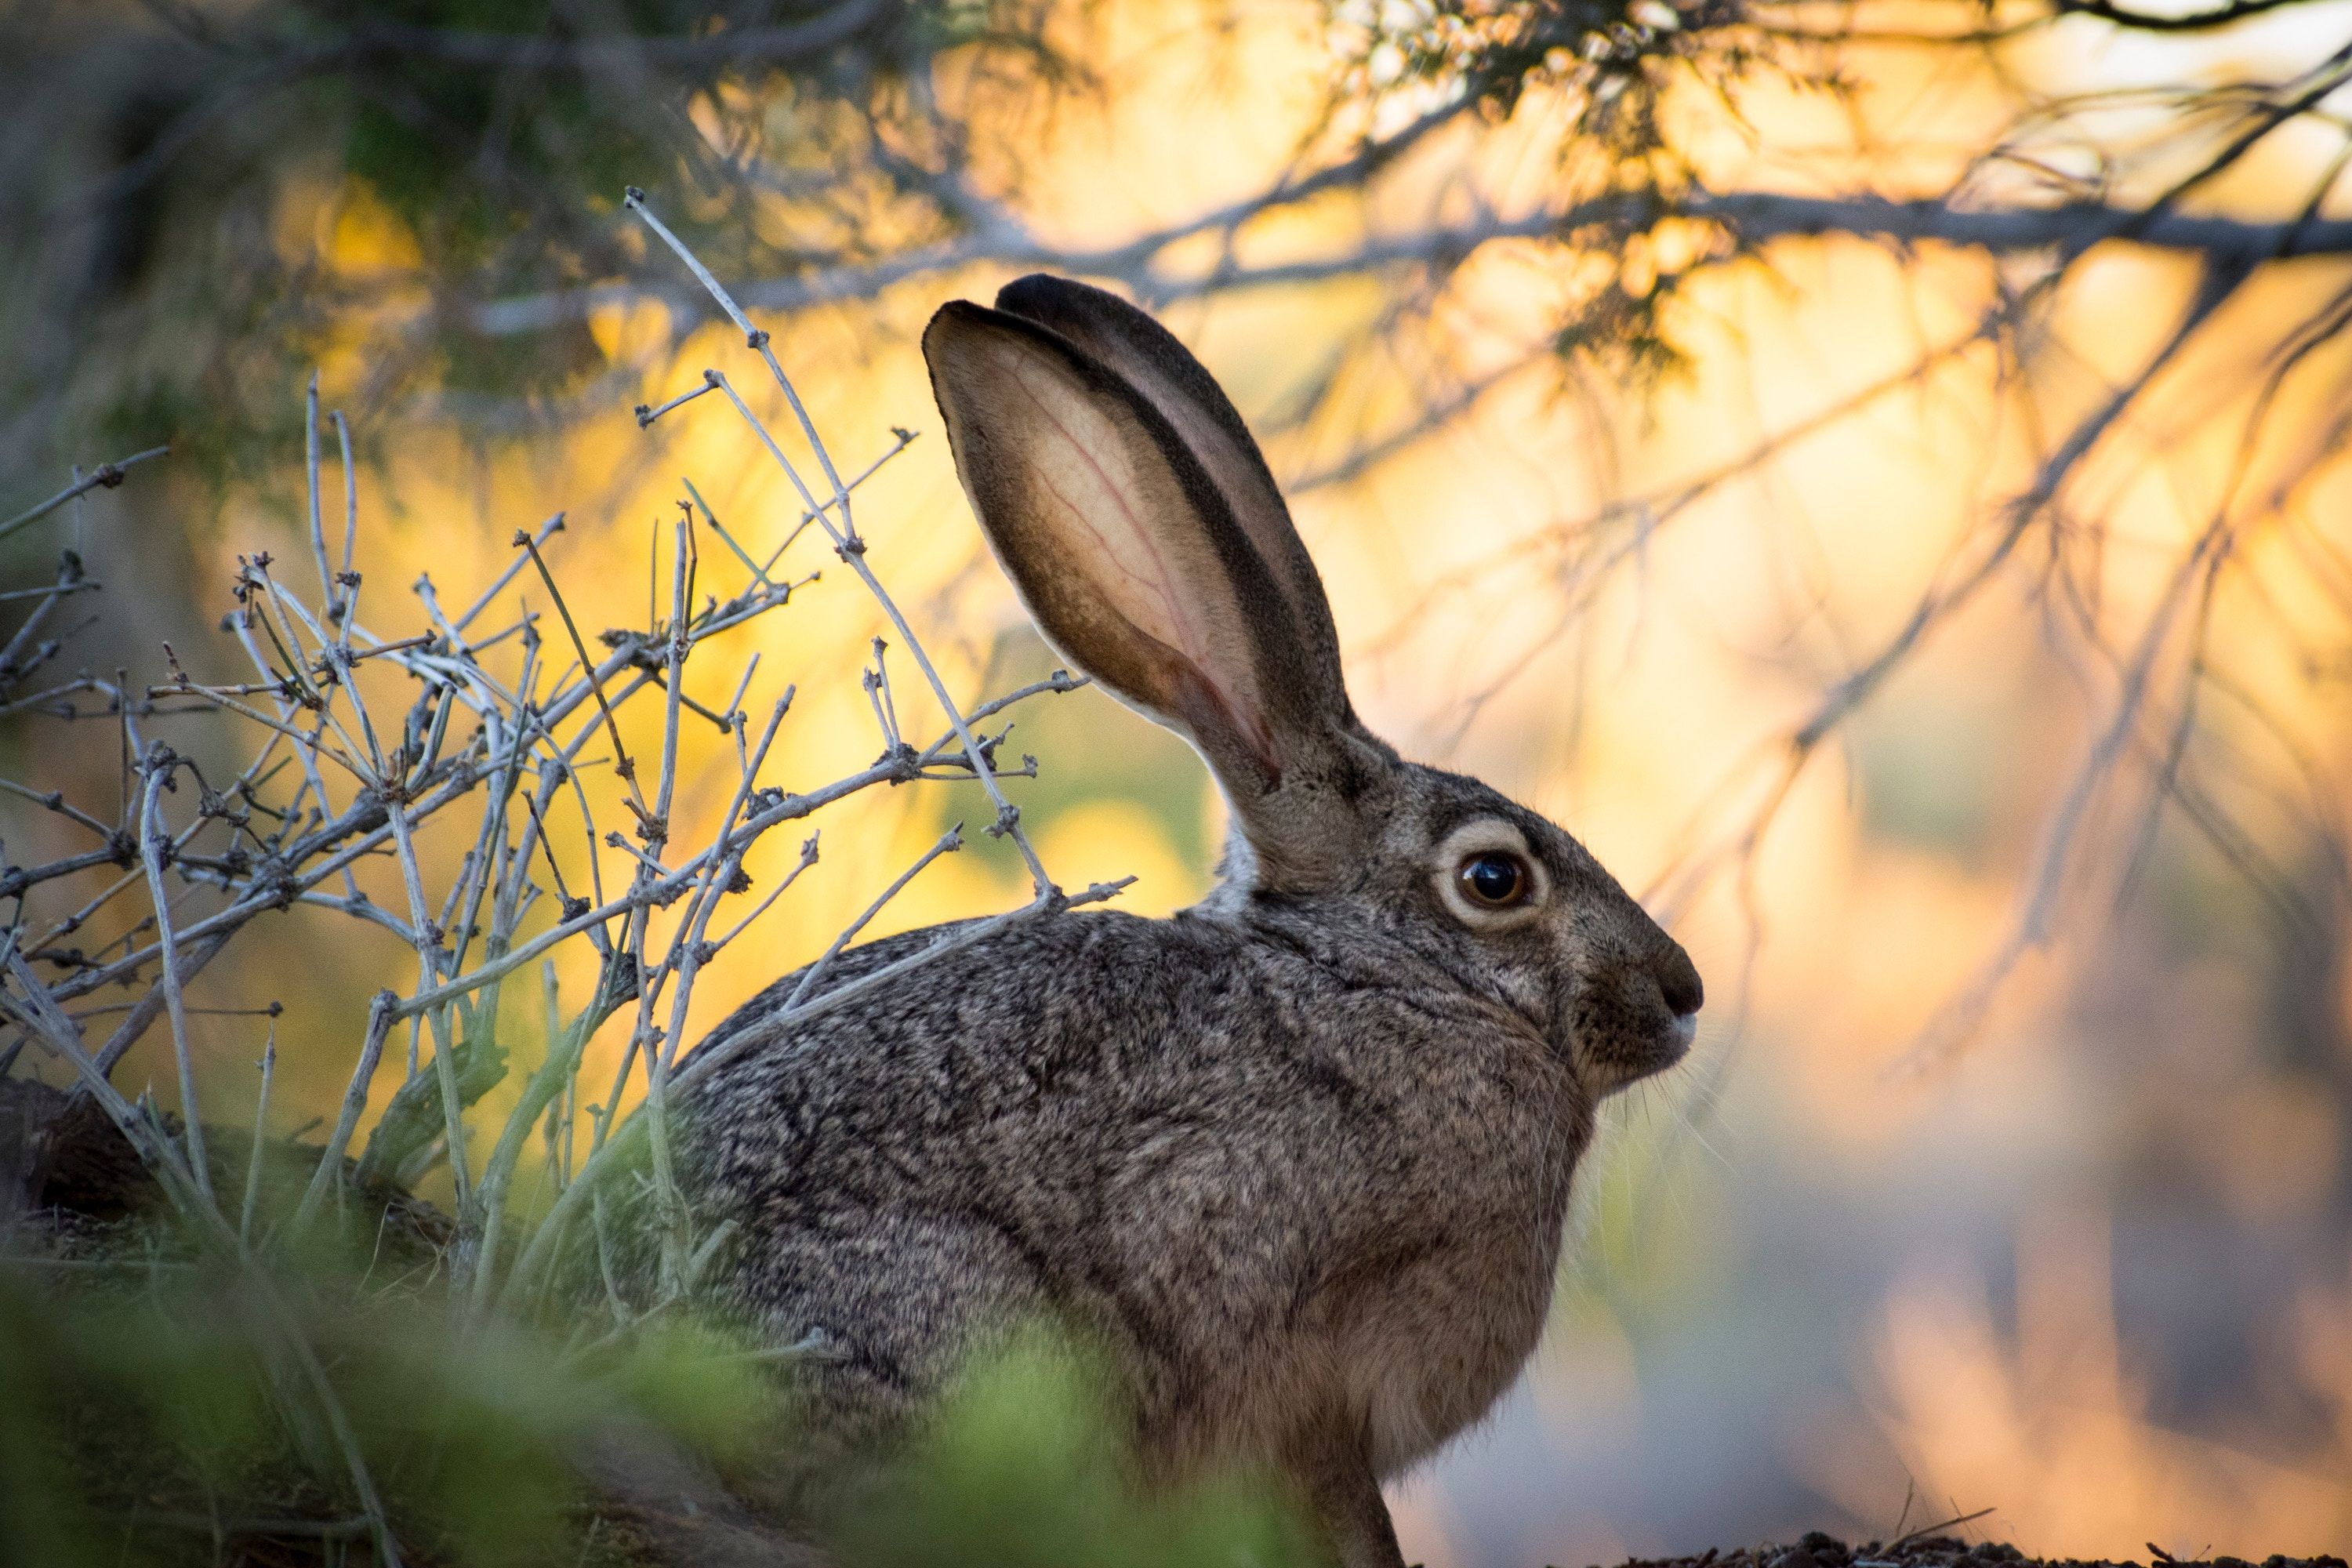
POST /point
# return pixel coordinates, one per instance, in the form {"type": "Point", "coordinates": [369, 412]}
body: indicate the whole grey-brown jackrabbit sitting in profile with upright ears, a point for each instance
{"type": "Point", "coordinates": [1297, 1158]}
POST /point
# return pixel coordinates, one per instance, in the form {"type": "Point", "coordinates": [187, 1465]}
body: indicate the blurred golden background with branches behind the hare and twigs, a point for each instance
{"type": "Point", "coordinates": [1873, 471]}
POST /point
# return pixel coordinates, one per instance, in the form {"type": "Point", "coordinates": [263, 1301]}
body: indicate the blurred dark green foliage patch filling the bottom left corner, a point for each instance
{"type": "Point", "coordinates": [140, 1395]}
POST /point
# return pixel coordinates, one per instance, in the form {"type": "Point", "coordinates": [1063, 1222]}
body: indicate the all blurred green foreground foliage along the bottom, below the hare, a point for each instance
{"type": "Point", "coordinates": [145, 1398]}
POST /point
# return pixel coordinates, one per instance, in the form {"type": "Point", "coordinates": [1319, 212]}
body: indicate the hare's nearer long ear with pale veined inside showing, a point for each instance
{"type": "Point", "coordinates": [1135, 568]}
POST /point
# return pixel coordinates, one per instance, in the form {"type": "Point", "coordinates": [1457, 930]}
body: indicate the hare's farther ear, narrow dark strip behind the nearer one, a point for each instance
{"type": "Point", "coordinates": [1149, 359]}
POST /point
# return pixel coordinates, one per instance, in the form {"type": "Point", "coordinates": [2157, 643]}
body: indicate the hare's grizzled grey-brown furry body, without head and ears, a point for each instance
{"type": "Point", "coordinates": [1335, 1195]}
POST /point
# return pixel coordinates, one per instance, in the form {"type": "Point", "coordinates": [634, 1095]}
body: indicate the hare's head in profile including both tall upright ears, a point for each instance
{"type": "Point", "coordinates": [1144, 530]}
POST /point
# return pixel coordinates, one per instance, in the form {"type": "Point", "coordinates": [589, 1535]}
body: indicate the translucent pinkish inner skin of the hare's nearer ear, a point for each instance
{"type": "Point", "coordinates": [1135, 542]}
